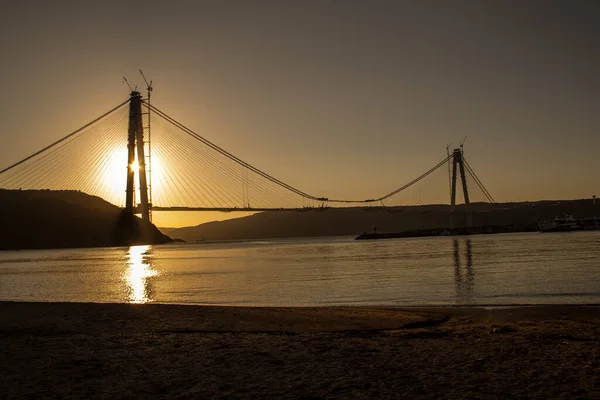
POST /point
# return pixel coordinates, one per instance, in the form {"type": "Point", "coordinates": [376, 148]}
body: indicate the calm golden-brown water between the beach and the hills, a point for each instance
{"type": "Point", "coordinates": [532, 268]}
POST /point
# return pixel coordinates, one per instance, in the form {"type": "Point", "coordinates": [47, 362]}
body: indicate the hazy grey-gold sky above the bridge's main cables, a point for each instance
{"type": "Point", "coordinates": [340, 98]}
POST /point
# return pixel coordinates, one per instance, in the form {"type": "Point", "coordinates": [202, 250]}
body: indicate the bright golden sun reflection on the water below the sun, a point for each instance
{"type": "Point", "coordinates": [139, 273]}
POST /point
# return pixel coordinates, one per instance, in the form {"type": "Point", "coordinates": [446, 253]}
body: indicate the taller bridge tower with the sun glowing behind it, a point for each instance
{"type": "Point", "coordinates": [135, 152]}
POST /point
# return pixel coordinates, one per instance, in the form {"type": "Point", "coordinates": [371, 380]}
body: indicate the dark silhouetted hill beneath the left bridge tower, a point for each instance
{"type": "Point", "coordinates": [34, 219]}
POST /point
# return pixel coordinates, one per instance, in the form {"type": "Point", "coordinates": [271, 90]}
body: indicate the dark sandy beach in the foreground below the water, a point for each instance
{"type": "Point", "coordinates": [74, 350]}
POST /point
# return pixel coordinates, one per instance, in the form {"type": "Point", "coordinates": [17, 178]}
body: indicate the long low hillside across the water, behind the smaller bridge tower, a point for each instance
{"type": "Point", "coordinates": [353, 221]}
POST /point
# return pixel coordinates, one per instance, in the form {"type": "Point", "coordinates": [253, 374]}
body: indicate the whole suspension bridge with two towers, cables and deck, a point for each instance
{"type": "Point", "coordinates": [138, 157]}
